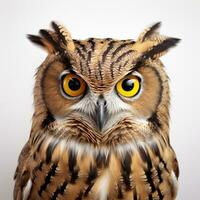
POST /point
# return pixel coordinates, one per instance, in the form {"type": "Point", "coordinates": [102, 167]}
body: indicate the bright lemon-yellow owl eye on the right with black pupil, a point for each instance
{"type": "Point", "coordinates": [129, 86]}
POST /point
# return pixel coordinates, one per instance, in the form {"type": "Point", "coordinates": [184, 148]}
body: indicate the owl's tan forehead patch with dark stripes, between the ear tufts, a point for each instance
{"type": "Point", "coordinates": [103, 61]}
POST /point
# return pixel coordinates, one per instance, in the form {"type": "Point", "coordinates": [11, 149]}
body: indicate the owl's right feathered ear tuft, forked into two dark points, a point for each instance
{"type": "Point", "coordinates": [150, 44]}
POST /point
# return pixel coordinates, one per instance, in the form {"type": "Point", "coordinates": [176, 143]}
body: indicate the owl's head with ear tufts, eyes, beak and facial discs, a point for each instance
{"type": "Point", "coordinates": [100, 85]}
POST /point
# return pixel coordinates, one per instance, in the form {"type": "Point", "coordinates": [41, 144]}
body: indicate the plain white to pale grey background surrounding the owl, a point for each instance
{"type": "Point", "coordinates": [90, 18]}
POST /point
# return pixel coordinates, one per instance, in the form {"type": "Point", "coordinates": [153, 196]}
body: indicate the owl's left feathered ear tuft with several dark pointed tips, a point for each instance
{"type": "Point", "coordinates": [58, 40]}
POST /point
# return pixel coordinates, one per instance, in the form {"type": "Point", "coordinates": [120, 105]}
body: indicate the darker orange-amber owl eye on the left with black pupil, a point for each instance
{"type": "Point", "coordinates": [73, 85]}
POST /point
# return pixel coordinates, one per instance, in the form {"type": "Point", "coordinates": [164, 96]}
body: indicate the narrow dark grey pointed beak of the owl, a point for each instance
{"type": "Point", "coordinates": [101, 112]}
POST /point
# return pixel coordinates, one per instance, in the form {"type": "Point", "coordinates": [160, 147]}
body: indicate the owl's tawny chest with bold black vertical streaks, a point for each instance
{"type": "Point", "coordinates": [58, 172]}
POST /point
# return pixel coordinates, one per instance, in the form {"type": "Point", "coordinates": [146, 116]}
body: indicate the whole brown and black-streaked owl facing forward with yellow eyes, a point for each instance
{"type": "Point", "coordinates": [100, 128]}
